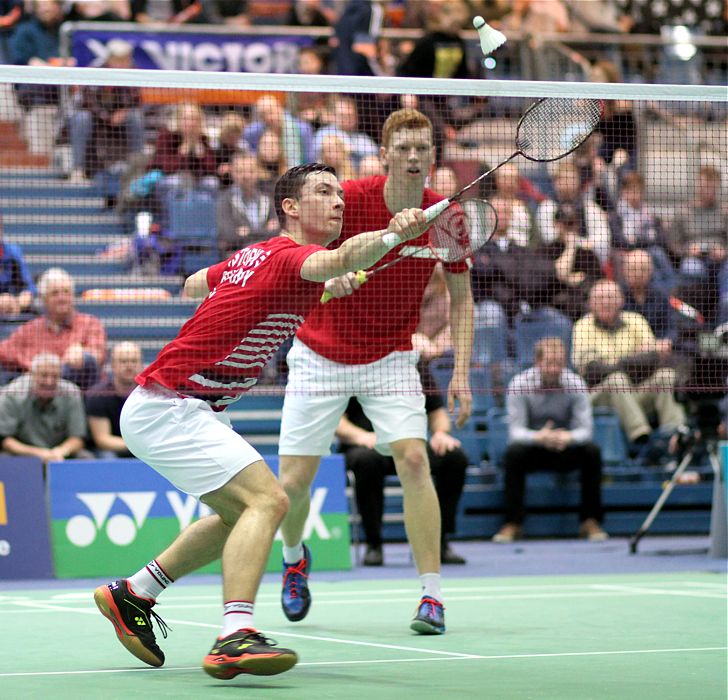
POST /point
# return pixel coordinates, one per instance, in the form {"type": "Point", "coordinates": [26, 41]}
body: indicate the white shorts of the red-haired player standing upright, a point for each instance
{"type": "Point", "coordinates": [318, 391]}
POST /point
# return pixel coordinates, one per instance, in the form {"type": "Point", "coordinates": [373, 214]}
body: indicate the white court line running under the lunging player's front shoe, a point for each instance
{"type": "Point", "coordinates": [494, 657]}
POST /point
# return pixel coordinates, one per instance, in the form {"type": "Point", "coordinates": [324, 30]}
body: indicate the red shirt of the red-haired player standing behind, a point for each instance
{"type": "Point", "coordinates": [380, 317]}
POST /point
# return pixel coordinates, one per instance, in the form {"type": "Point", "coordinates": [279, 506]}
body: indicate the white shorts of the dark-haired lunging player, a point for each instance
{"type": "Point", "coordinates": [189, 444]}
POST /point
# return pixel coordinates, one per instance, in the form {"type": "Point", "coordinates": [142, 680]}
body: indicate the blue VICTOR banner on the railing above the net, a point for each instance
{"type": "Point", "coordinates": [233, 53]}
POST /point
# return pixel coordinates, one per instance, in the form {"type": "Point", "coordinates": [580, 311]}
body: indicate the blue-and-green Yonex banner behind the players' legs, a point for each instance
{"type": "Point", "coordinates": [109, 517]}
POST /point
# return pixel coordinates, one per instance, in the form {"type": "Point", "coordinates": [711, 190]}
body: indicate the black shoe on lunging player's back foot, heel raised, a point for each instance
{"type": "Point", "coordinates": [132, 617]}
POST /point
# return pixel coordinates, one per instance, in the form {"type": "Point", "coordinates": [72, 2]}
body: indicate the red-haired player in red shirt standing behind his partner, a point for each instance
{"type": "Point", "coordinates": [361, 346]}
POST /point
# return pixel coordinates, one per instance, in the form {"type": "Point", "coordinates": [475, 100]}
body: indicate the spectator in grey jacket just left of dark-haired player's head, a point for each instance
{"type": "Point", "coordinates": [245, 213]}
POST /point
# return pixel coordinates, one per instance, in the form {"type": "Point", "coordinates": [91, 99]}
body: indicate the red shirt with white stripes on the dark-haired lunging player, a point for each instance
{"type": "Point", "coordinates": [258, 300]}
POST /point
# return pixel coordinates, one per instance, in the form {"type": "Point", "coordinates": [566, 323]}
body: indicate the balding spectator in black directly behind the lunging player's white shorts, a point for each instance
{"type": "Point", "coordinates": [105, 400]}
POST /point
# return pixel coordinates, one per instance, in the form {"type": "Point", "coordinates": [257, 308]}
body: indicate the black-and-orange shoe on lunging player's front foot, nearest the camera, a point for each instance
{"type": "Point", "coordinates": [247, 651]}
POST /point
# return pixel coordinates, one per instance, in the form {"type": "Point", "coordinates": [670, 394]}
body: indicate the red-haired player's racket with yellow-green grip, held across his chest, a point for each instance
{"type": "Point", "coordinates": [459, 231]}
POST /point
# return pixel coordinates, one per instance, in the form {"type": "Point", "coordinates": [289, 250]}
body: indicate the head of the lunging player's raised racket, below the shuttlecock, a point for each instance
{"type": "Point", "coordinates": [552, 127]}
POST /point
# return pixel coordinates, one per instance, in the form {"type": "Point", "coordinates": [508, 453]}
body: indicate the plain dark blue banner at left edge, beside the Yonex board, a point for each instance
{"type": "Point", "coordinates": [24, 544]}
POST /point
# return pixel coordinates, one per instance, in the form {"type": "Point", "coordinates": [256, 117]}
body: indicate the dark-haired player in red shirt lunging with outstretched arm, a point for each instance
{"type": "Point", "coordinates": [176, 423]}
